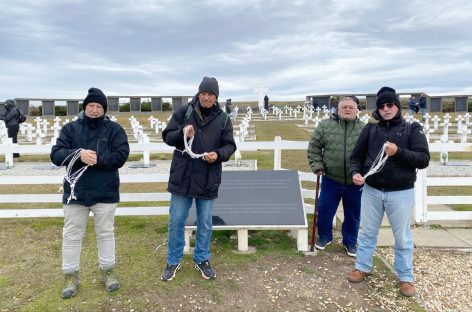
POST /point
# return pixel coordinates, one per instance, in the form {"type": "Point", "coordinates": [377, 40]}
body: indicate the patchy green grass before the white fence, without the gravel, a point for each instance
{"type": "Point", "coordinates": [32, 275]}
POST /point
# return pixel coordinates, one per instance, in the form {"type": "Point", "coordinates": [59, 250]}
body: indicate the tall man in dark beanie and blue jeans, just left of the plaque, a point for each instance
{"type": "Point", "coordinates": [202, 135]}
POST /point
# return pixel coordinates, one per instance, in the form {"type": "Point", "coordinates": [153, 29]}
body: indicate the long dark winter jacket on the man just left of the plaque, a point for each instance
{"type": "Point", "coordinates": [195, 177]}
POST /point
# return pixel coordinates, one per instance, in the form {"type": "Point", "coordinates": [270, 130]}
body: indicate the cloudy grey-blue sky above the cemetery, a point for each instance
{"type": "Point", "coordinates": [293, 48]}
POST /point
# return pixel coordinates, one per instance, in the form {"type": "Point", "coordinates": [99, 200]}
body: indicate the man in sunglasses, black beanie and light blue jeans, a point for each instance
{"type": "Point", "coordinates": [389, 188]}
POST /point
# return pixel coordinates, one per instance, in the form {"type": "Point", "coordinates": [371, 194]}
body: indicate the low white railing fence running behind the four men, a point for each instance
{"type": "Point", "coordinates": [422, 200]}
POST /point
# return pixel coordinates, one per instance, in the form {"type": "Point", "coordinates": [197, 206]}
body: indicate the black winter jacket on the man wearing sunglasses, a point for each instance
{"type": "Point", "coordinates": [399, 172]}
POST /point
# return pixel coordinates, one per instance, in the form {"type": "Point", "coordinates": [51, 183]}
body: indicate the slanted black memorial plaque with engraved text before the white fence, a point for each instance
{"type": "Point", "coordinates": [257, 198]}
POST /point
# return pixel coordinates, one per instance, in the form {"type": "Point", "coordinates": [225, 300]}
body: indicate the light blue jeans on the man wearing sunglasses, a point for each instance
{"type": "Point", "coordinates": [399, 207]}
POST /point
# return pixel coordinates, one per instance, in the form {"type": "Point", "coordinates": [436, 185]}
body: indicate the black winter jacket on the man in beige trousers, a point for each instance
{"type": "Point", "coordinates": [99, 183]}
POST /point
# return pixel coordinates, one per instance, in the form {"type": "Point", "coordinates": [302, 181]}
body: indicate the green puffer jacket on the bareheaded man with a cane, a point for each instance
{"type": "Point", "coordinates": [331, 145]}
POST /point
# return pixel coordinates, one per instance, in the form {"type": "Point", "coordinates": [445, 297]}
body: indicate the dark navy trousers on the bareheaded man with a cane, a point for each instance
{"type": "Point", "coordinates": [331, 193]}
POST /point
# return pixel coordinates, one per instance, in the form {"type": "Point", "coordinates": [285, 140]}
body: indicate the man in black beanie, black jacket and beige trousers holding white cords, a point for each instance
{"type": "Point", "coordinates": [93, 148]}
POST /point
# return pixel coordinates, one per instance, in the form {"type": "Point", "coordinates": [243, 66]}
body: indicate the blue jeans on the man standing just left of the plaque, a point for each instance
{"type": "Point", "coordinates": [179, 209]}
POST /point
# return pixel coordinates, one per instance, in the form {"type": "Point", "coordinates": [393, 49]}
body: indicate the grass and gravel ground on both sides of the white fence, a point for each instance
{"type": "Point", "coordinates": [276, 277]}
